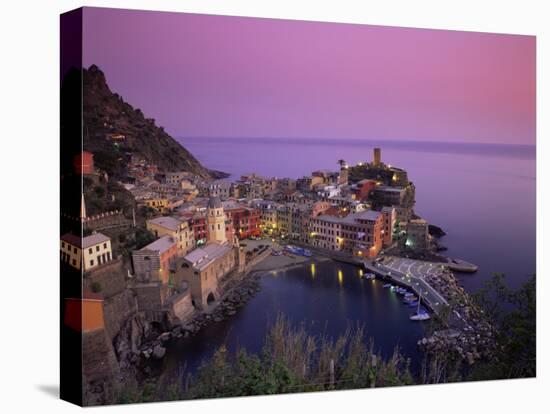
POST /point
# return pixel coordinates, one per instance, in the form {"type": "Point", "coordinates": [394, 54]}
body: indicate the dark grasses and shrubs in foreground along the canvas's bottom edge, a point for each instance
{"type": "Point", "coordinates": [294, 361]}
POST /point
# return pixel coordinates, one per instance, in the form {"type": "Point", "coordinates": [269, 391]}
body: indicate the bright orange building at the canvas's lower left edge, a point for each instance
{"type": "Point", "coordinates": [86, 314]}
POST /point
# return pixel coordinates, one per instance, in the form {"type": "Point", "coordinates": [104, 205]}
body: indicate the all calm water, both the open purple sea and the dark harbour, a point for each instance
{"type": "Point", "coordinates": [483, 196]}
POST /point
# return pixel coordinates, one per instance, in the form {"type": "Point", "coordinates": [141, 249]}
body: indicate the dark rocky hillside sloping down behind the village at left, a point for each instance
{"type": "Point", "coordinates": [113, 129]}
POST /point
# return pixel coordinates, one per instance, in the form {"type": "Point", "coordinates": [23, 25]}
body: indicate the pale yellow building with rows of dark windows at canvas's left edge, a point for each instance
{"type": "Point", "coordinates": [86, 253]}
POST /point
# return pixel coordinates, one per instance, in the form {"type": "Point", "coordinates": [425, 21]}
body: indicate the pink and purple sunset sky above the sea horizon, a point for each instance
{"type": "Point", "coordinates": [201, 75]}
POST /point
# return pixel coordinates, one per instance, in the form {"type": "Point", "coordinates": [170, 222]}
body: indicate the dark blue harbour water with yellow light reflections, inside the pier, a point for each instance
{"type": "Point", "coordinates": [335, 299]}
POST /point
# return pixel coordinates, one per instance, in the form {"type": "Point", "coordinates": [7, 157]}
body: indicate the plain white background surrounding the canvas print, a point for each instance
{"type": "Point", "coordinates": [29, 158]}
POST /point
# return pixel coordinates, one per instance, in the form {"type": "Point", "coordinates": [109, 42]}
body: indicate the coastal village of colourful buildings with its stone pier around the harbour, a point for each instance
{"type": "Point", "coordinates": [205, 237]}
